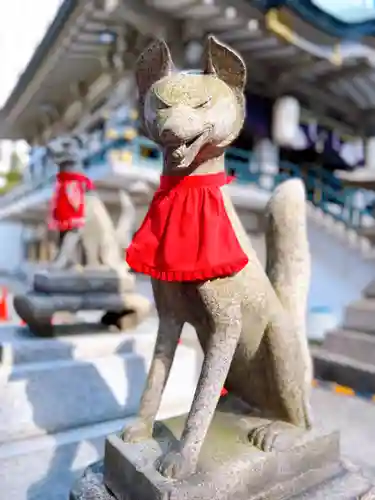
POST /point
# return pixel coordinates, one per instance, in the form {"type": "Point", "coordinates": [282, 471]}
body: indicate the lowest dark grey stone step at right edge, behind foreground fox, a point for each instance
{"type": "Point", "coordinates": [344, 370]}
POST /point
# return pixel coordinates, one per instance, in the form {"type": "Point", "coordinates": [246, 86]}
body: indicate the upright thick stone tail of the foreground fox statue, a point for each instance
{"type": "Point", "coordinates": [288, 259]}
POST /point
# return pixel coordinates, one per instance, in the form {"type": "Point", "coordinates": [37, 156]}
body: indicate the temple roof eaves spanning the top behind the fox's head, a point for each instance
{"type": "Point", "coordinates": [333, 82]}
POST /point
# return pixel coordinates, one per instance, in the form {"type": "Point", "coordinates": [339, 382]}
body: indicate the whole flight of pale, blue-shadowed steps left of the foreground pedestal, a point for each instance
{"type": "Point", "coordinates": [60, 397]}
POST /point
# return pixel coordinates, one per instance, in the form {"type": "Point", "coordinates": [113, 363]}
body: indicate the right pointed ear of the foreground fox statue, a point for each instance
{"type": "Point", "coordinates": [224, 62]}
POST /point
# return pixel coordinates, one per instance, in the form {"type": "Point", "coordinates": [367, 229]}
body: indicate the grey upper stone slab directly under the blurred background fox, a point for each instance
{"type": "Point", "coordinates": [86, 280]}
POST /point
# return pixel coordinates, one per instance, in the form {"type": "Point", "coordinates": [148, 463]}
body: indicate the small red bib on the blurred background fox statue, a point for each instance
{"type": "Point", "coordinates": [68, 202]}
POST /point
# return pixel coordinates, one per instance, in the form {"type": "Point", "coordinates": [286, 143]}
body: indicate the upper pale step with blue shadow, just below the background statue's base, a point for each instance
{"type": "Point", "coordinates": [84, 381]}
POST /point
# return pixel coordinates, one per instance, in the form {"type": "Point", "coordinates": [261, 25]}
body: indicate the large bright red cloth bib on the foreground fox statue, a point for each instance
{"type": "Point", "coordinates": [186, 234]}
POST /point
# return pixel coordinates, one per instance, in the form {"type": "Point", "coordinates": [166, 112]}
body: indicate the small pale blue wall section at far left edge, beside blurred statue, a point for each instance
{"type": "Point", "coordinates": [11, 248]}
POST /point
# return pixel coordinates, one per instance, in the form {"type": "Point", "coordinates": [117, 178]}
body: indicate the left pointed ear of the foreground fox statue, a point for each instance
{"type": "Point", "coordinates": [154, 63]}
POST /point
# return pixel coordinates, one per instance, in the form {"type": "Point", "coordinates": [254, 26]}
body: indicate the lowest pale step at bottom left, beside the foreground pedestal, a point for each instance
{"type": "Point", "coordinates": [45, 468]}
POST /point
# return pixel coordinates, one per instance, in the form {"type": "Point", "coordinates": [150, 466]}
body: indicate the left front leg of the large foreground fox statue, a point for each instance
{"type": "Point", "coordinates": [166, 343]}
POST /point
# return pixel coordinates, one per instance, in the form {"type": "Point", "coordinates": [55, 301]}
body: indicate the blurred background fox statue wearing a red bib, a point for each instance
{"type": "Point", "coordinates": [102, 243]}
